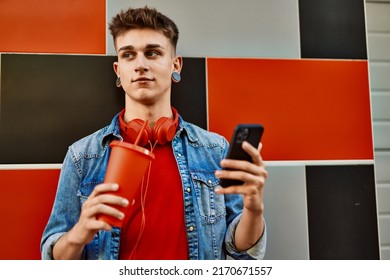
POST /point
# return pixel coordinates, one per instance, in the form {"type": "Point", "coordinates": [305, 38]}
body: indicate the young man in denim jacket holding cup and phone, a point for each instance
{"type": "Point", "coordinates": [183, 213]}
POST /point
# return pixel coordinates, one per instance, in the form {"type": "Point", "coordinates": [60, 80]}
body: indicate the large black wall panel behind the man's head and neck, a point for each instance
{"type": "Point", "coordinates": [50, 101]}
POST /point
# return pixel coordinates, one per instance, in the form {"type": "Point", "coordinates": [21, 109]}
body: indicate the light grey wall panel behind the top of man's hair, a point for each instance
{"type": "Point", "coordinates": [227, 28]}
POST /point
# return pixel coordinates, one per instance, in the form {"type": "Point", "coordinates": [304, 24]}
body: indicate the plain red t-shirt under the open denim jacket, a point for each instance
{"type": "Point", "coordinates": [164, 236]}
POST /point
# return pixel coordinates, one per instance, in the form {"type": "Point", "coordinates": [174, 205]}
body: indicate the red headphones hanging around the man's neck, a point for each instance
{"type": "Point", "coordinates": [163, 131]}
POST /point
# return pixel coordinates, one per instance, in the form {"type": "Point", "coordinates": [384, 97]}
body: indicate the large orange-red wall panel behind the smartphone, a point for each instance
{"type": "Point", "coordinates": [311, 109]}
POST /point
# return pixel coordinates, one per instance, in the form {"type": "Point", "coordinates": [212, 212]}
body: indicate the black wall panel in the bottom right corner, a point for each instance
{"type": "Point", "coordinates": [342, 212]}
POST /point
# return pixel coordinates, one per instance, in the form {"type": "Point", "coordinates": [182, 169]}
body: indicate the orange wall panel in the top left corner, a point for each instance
{"type": "Point", "coordinates": [46, 26]}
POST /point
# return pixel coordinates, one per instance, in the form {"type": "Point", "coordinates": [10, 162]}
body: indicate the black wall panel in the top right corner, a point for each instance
{"type": "Point", "coordinates": [332, 29]}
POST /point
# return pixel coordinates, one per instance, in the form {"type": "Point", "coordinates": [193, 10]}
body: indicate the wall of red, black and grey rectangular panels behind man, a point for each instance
{"type": "Point", "coordinates": [298, 67]}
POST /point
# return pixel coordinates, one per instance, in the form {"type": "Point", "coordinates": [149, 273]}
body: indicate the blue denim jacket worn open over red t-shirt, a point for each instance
{"type": "Point", "coordinates": [210, 218]}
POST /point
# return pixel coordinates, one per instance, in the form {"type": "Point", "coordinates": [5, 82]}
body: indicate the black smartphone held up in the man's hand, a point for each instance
{"type": "Point", "coordinates": [251, 133]}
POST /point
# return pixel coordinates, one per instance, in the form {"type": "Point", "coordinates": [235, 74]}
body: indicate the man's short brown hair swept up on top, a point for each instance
{"type": "Point", "coordinates": [144, 18]}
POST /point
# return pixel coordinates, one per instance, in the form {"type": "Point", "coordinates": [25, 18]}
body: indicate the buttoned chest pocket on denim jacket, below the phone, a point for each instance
{"type": "Point", "coordinates": [211, 205]}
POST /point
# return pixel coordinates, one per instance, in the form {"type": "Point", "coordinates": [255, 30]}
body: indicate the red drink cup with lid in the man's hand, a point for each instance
{"type": "Point", "coordinates": [127, 166]}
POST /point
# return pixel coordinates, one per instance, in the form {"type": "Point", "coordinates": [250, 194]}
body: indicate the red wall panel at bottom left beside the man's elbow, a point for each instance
{"type": "Point", "coordinates": [26, 199]}
